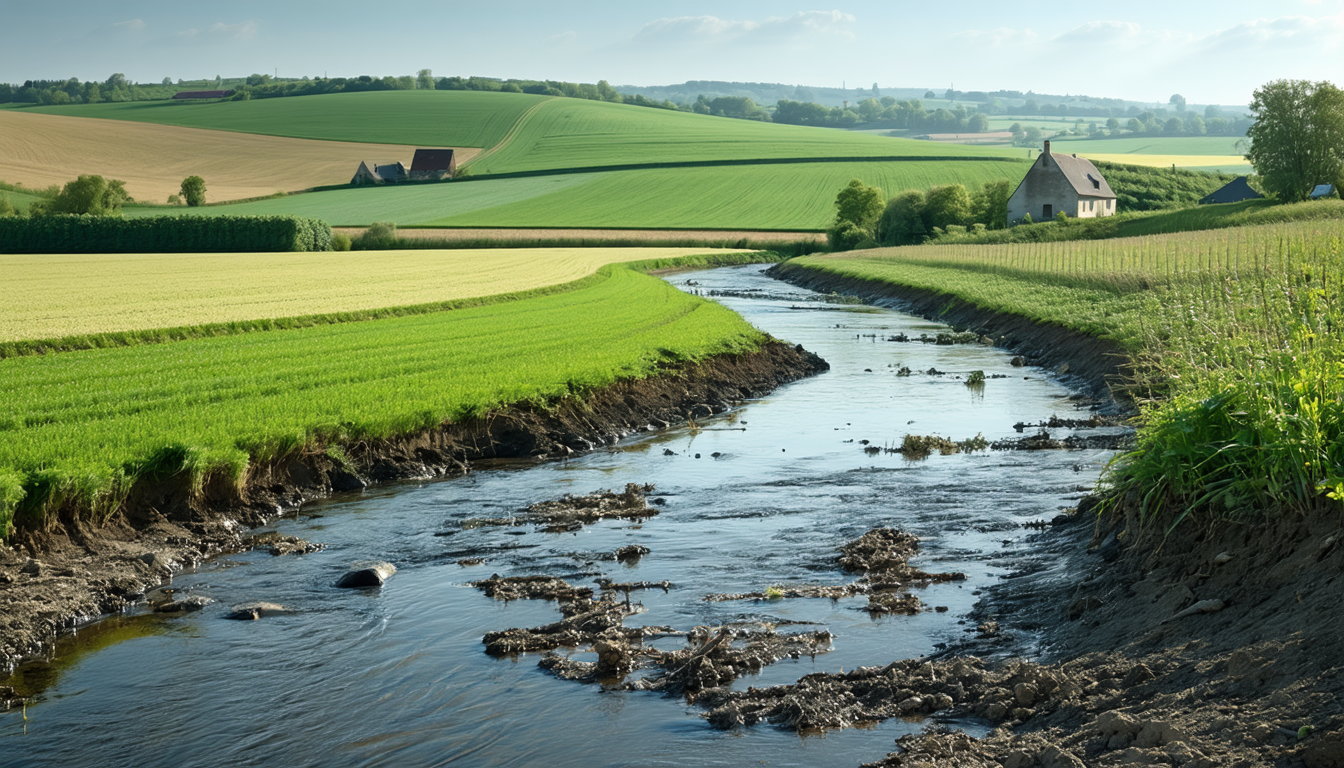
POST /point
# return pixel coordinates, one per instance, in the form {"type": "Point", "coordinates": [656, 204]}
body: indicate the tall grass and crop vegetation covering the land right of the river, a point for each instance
{"type": "Point", "coordinates": [1236, 337]}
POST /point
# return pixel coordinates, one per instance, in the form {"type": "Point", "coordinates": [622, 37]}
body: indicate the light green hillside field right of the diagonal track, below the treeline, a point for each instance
{"type": "Point", "coordinates": [575, 134]}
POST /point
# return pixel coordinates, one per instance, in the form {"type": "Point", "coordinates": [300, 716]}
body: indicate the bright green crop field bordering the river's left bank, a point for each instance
{"type": "Point", "coordinates": [81, 427]}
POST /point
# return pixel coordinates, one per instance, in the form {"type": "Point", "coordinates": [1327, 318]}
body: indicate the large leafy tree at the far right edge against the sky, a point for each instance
{"type": "Point", "coordinates": [1298, 139]}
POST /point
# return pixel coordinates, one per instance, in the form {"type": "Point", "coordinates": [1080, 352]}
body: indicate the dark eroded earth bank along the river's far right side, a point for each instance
{"type": "Point", "coordinates": [1084, 362]}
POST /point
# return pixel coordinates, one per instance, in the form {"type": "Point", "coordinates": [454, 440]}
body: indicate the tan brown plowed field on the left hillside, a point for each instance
{"type": "Point", "coordinates": [42, 150]}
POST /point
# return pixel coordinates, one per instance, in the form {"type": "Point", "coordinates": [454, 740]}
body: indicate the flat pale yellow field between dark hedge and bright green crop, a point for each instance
{"type": "Point", "coordinates": [54, 297]}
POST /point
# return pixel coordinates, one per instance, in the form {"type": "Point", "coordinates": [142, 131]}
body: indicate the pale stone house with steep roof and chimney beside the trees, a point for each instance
{"type": "Point", "coordinates": [1061, 184]}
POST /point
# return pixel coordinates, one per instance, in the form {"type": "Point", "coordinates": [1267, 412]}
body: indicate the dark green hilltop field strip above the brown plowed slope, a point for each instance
{"type": "Point", "coordinates": [424, 118]}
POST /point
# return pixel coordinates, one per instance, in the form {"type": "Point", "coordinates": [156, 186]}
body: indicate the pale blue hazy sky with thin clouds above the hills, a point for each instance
{"type": "Point", "coordinates": [1209, 52]}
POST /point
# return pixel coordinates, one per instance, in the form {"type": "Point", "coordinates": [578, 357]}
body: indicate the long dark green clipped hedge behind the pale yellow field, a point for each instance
{"type": "Point", "coordinates": [162, 235]}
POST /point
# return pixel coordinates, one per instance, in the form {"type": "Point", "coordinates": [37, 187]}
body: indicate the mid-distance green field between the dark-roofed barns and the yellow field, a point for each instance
{"type": "Point", "coordinates": [782, 197]}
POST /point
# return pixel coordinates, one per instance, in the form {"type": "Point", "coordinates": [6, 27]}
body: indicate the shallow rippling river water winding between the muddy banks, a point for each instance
{"type": "Point", "coordinates": [398, 676]}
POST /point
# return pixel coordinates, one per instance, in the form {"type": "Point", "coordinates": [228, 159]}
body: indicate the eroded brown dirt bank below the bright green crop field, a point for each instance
{"type": "Point", "coordinates": [52, 583]}
